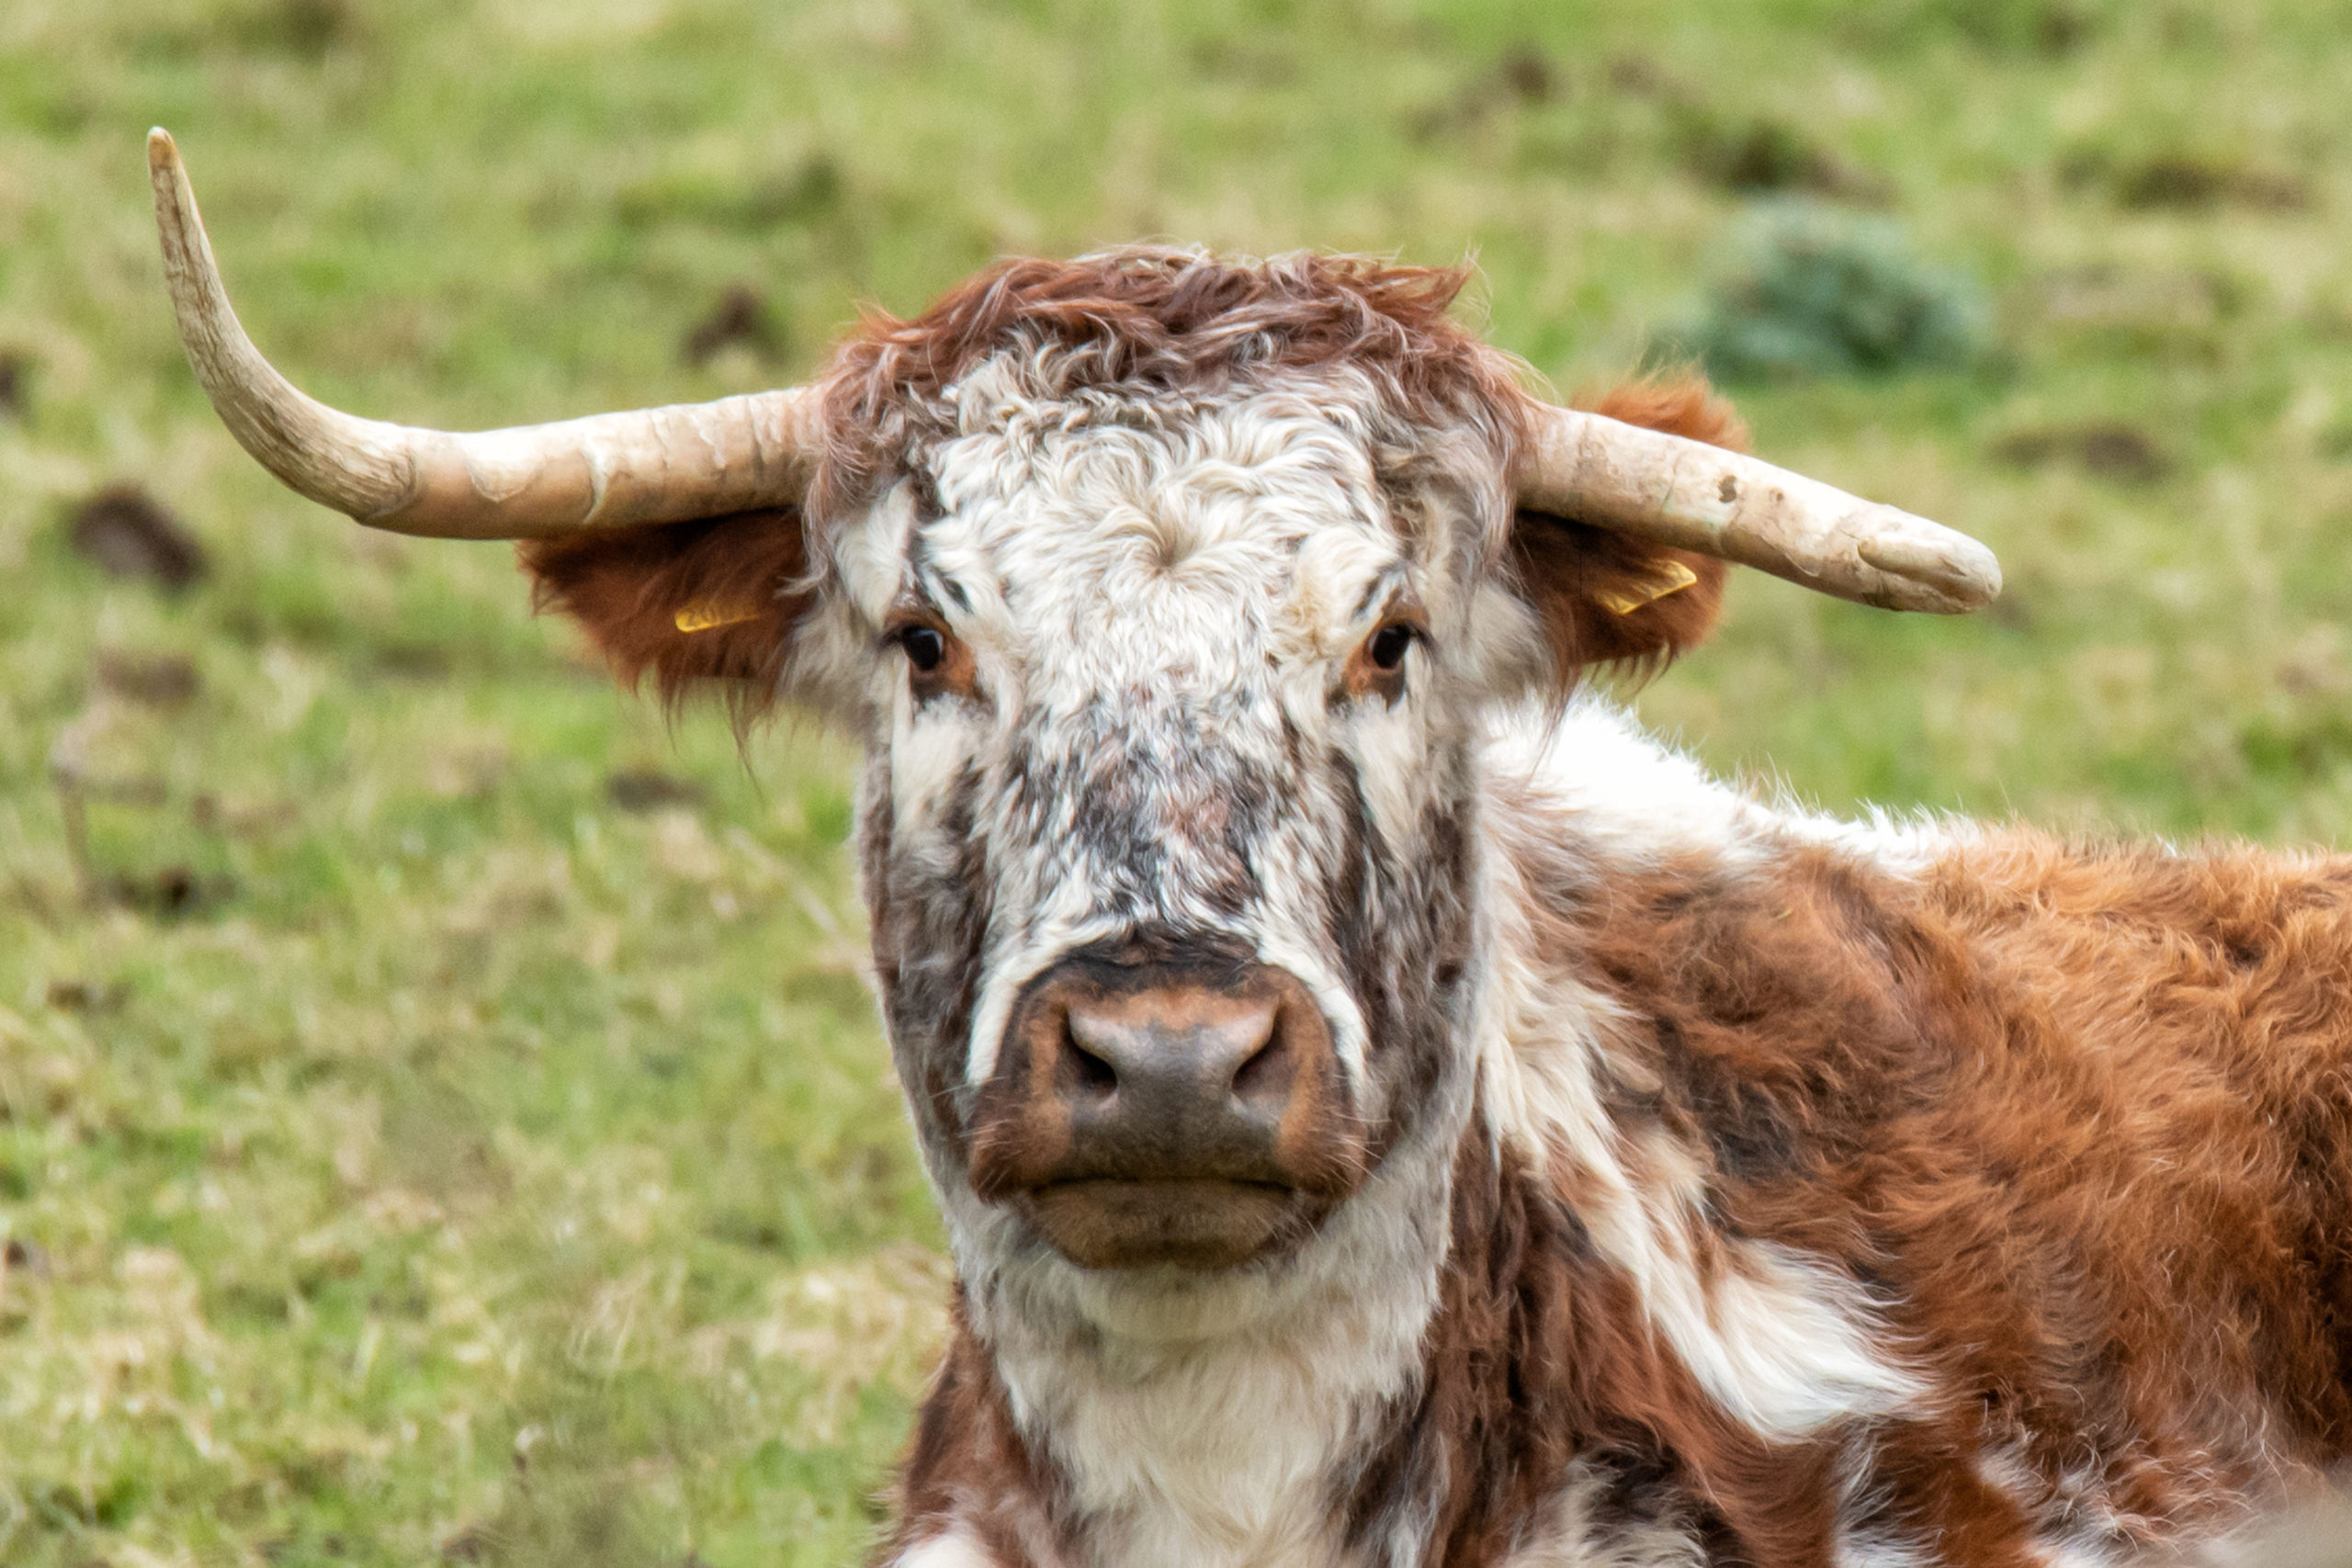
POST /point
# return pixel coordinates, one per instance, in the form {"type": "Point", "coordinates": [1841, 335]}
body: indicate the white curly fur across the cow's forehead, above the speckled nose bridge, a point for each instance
{"type": "Point", "coordinates": [1095, 535]}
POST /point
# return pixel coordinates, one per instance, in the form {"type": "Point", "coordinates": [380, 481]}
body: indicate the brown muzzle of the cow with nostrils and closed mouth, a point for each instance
{"type": "Point", "coordinates": [1168, 1113]}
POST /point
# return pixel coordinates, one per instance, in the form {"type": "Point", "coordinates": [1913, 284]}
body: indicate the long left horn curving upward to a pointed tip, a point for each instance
{"type": "Point", "coordinates": [528, 483]}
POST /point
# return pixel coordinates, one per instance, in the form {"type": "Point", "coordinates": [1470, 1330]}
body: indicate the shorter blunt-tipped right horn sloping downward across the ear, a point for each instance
{"type": "Point", "coordinates": [1716, 502]}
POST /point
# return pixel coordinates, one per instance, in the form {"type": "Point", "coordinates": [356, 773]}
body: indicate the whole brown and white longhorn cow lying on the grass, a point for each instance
{"type": "Point", "coordinates": [1387, 1108]}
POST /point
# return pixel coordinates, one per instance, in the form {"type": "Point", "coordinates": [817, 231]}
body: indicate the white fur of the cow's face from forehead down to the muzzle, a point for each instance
{"type": "Point", "coordinates": [1161, 596]}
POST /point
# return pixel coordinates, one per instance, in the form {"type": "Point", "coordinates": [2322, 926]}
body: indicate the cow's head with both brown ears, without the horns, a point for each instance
{"type": "Point", "coordinates": [1170, 690]}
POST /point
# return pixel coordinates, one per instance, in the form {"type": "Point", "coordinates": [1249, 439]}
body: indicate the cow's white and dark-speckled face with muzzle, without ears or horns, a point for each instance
{"type": "Point", "coordinates": [1163, 822]}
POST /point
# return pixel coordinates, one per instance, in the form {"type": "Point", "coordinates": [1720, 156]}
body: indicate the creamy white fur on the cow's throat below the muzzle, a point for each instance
{"type": "Point", "coordinates": [1234, 1430]}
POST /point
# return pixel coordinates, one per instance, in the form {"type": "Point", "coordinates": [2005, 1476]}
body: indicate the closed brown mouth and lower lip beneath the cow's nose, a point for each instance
{"type": "Point", "coordinates": [1196, 1224]}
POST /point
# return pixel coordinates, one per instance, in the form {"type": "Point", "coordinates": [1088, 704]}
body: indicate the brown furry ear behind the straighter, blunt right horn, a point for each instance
{"type": "Point", "coordinates": [1610, 598]}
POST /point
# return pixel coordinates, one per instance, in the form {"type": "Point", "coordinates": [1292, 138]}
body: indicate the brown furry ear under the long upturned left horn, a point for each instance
{"type": "Point", "coordinates": [697, 605]}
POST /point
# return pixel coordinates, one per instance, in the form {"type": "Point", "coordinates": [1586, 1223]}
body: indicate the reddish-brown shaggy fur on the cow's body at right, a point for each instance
{"type": "Point", "coordinates": [2085, 1123]}
